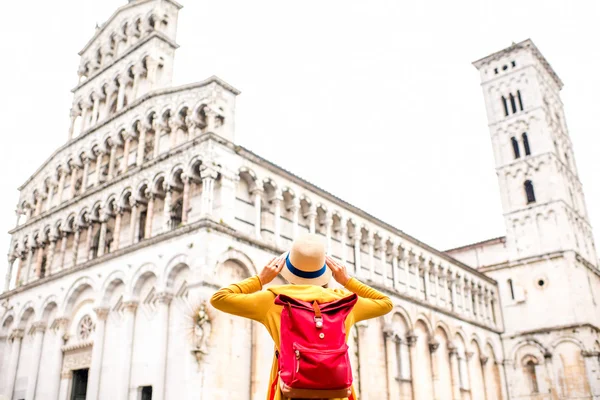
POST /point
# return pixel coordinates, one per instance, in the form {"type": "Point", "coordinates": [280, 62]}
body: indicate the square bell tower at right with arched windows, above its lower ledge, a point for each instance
{"type": "Point", "coordinates": [542, 198]}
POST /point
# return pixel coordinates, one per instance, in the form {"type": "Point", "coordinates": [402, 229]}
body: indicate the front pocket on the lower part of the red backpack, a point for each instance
{"type": "Point", "coordinates": [321, 368]}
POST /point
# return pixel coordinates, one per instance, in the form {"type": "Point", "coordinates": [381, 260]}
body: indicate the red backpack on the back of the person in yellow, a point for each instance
{"type": "Point", "coordinates": [313, 354]}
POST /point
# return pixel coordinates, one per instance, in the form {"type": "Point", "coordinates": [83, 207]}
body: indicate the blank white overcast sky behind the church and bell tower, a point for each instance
{"type": "Point", "coordinates": [375, 101]}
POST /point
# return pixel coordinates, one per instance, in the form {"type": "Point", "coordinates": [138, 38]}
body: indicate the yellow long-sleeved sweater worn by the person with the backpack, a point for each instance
{"type": "Point", "coordinates": [247, 299]}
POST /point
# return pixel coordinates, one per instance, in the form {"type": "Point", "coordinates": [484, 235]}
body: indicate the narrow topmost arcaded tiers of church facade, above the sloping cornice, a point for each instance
{"type": "Point", "coordinates": [128, 56]}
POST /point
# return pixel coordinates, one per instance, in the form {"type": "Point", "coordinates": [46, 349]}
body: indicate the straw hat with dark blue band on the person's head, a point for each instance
{"type": "Point", "coordinates": [305, 262]}
